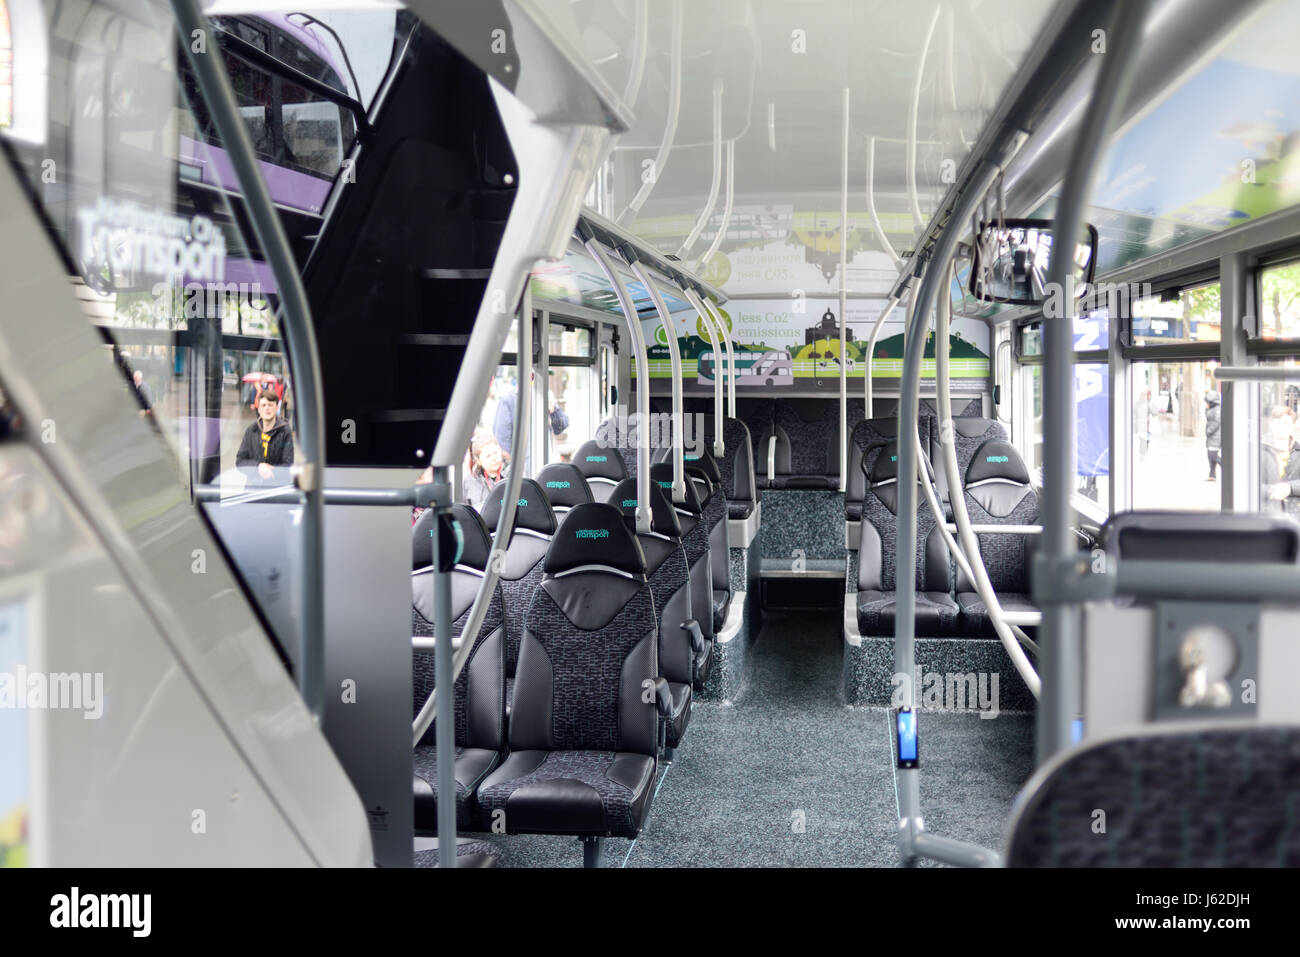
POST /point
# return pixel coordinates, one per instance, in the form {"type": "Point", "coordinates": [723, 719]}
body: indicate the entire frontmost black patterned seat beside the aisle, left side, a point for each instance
{"type": "Point", "coordinates": [583, 735]}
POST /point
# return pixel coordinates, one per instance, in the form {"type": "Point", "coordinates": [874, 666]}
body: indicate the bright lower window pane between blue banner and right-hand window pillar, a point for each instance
{"type": "Point", "coordinates": [1177, 430]}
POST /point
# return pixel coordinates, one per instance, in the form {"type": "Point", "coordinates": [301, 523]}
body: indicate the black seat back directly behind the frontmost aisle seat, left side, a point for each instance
{"type": "Point", "coordinates": [669, 575]}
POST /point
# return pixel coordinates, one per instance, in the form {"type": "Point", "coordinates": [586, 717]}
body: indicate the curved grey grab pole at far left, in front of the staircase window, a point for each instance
{"type": "Point", "coordinates": [300, 339]}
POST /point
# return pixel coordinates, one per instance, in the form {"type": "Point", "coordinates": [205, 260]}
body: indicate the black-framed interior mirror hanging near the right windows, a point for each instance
{"type": "Point", "coordinates": [1013, 258]}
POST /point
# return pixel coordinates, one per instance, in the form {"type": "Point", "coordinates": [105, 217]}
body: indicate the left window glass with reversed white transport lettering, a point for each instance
{"type": "Point", "coordinates": [158, 257]}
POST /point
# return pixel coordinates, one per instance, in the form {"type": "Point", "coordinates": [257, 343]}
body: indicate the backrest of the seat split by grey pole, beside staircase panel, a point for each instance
{"type": "Point", "coordinates": [480, 690]}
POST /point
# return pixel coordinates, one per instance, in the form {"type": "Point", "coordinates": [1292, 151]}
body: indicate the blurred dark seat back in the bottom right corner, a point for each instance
{"type": "Point", "coordinates": [1184, 796]}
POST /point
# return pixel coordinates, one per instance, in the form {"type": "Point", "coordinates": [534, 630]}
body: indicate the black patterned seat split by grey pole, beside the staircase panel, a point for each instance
{"type": "Point", "coordinates": [480, 705]}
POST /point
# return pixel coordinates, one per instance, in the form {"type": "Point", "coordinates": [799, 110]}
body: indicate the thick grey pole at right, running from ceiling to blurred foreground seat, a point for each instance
{"type": "Point", "coordinates": [1061, 665]}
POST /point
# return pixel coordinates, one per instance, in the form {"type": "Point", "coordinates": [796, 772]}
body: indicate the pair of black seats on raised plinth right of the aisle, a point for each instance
{"type": "Point", "coordinates": [996, 490]}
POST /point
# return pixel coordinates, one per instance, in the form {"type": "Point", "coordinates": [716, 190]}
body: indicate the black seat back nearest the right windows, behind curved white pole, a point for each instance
{"type": "Point", "coordinates": [998, 492]}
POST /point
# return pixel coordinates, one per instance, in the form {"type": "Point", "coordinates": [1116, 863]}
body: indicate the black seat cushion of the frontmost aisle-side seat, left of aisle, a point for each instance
{"type": "Point", "coordinates": [603, 794]}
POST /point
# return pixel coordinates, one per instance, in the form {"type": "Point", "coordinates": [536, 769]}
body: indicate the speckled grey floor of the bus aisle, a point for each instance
{"type": "Point", "coordinates": [791, 777]}
